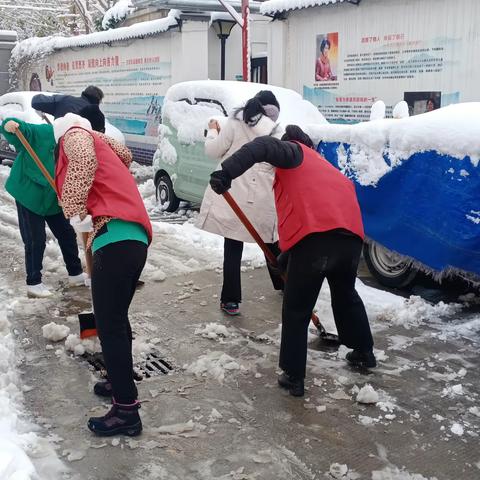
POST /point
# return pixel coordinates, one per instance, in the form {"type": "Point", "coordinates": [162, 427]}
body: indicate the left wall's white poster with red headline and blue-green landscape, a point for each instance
{"type": "Point", "coordinates": [133, 77]}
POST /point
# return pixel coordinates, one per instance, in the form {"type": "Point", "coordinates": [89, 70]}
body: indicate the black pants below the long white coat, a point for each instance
{"type": "Point", "coordinates": [232, 259]}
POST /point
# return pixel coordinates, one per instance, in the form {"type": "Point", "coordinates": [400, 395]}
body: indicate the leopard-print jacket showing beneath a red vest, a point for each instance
{"type": "Point", "coordinates": [79, 148]}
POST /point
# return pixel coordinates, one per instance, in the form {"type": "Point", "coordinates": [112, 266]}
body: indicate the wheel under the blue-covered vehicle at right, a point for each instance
{"type": "Point", "coordinates": [389, 268]}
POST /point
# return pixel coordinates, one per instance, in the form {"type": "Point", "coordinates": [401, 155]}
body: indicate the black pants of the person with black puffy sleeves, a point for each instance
{"type": "Point", "coordinates": [333, 256]}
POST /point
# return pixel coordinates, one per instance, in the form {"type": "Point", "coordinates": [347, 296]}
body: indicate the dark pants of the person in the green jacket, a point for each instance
{"type": "Point", "coordinates": [32, 230]}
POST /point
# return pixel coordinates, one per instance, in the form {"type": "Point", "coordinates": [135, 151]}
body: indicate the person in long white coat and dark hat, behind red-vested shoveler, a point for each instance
{"type": "Point", "coordinates": [252, 191]}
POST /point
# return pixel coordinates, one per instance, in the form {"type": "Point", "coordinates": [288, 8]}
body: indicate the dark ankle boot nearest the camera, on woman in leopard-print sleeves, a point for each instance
{"type": "Point", "coordinates": [121, 419]}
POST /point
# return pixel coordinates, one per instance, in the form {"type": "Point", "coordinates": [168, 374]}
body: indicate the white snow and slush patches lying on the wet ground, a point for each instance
{"type": "Point", "coordinates": [181, 248]}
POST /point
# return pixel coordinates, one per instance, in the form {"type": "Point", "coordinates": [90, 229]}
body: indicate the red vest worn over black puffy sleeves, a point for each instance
{"type": "Point", "coordinates": [314, 197]}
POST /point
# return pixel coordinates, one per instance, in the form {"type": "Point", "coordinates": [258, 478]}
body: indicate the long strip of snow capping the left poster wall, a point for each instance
{"type": "Point", "coordinates": [36, 46]}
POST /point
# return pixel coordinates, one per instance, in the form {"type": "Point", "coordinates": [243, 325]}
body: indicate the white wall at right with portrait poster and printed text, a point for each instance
{"type": "Point", "coordinates": [382, 49]}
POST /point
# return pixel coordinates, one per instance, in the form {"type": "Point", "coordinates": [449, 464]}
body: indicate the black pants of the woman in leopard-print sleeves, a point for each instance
{"type": "Point", "coordinates": [116, 270]}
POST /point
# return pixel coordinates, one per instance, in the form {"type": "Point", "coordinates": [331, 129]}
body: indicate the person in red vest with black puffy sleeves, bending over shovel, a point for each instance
{"type": "Point", "coordinates": [320, 226]}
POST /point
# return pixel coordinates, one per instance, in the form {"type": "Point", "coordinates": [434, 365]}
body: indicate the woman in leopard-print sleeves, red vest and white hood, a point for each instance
{"type": "Point", "coordinates": [99, 195]}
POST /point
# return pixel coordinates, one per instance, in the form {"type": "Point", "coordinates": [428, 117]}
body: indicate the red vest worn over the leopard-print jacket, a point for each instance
{"type": "Point", "coordinates": [114, 192]}
